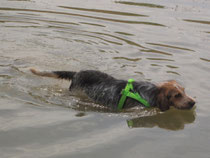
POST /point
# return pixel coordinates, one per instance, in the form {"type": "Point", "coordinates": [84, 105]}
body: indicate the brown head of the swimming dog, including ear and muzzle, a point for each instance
{"type": "Point", "coordinates": [172, 94]}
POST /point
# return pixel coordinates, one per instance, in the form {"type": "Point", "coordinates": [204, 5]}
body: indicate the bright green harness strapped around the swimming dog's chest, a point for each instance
{"type": "Point", "coordinates": [134, 95]}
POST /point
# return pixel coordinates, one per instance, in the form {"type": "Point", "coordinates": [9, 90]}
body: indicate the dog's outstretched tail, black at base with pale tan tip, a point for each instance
{"type": "Point", "coordinates": [68, 75]}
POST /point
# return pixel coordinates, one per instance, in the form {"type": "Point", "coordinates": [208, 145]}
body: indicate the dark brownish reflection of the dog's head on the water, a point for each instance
{"type": "Point", "coordinates": [170, 120]}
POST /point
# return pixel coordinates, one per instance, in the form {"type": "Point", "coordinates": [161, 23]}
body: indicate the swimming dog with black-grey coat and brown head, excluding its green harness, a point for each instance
{"type": "Point", "coordinates": [106, 90]}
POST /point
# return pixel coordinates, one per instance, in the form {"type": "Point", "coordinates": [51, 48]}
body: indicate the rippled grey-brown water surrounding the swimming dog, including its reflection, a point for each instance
{"type": "Point", "coordinates": [145, 40]}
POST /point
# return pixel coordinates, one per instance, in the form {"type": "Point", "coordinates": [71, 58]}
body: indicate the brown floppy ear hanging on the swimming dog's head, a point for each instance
{"type": "Point", "coordinates": [163, 100]}
